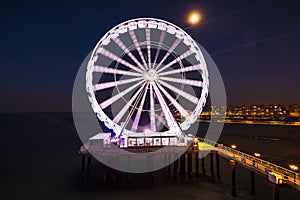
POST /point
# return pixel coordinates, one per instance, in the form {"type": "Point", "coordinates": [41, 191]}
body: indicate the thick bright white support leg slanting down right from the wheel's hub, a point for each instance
{"type": "Point", "coordinates": [172, 123]}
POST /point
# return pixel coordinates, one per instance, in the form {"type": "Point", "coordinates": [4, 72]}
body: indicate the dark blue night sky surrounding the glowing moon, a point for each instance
{"type": "Point", "coordinates": [255, 45]}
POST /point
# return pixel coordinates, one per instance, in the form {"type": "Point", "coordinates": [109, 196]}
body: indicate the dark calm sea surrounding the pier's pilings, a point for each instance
{"type": "Point", "coordinates": [39, 161]}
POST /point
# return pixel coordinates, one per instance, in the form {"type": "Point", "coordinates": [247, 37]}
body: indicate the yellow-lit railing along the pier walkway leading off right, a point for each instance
{"type": "Point", "coordinates": [287, 174]}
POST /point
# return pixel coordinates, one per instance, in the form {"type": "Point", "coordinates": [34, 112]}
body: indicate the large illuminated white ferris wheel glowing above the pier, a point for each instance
{"type": "Point", "coordinates": [143, 74]}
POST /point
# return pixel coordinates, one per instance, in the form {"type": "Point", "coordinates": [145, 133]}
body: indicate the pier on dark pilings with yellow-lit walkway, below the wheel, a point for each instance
{"type": "Point", "coordinates": [192, 164]}
